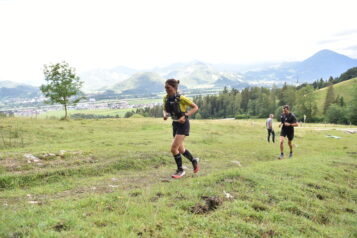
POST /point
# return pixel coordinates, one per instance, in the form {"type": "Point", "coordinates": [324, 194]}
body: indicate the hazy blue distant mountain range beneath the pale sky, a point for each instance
{"type": "Point", "coordinates": [199, 75]}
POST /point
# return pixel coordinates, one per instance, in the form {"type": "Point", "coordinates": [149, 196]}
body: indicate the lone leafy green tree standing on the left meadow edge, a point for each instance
{"type": "Point", "coordinates": [63, 86]}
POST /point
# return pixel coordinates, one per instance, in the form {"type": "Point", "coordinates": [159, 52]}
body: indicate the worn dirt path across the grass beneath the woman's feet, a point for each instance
{"type": "Point", "coordinates": [121, 181]}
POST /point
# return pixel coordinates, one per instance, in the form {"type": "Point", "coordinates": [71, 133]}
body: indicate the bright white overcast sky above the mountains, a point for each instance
{"type": "Point", "coordinates": [143, 34]}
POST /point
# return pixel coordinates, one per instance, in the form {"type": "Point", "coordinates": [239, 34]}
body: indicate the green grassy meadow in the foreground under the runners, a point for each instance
{"type": "Point", "coordinates": [111, 178]}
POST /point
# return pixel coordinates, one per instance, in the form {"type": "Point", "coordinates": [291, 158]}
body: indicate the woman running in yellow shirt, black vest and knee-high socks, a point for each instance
{"type": "Point", "coordinates": [175, 105]}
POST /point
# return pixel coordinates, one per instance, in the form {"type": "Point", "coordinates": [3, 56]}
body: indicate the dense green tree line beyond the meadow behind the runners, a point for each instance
{"type": "Point", "coordinates": [259, 102]}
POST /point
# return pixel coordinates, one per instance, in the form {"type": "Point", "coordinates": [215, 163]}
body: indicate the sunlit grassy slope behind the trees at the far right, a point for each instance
{"type": "Point", "coordinates": [344, 89]}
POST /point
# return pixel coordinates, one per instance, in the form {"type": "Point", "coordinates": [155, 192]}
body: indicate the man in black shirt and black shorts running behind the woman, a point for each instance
{"type": "Point", "coordinates": [288, 122]}
